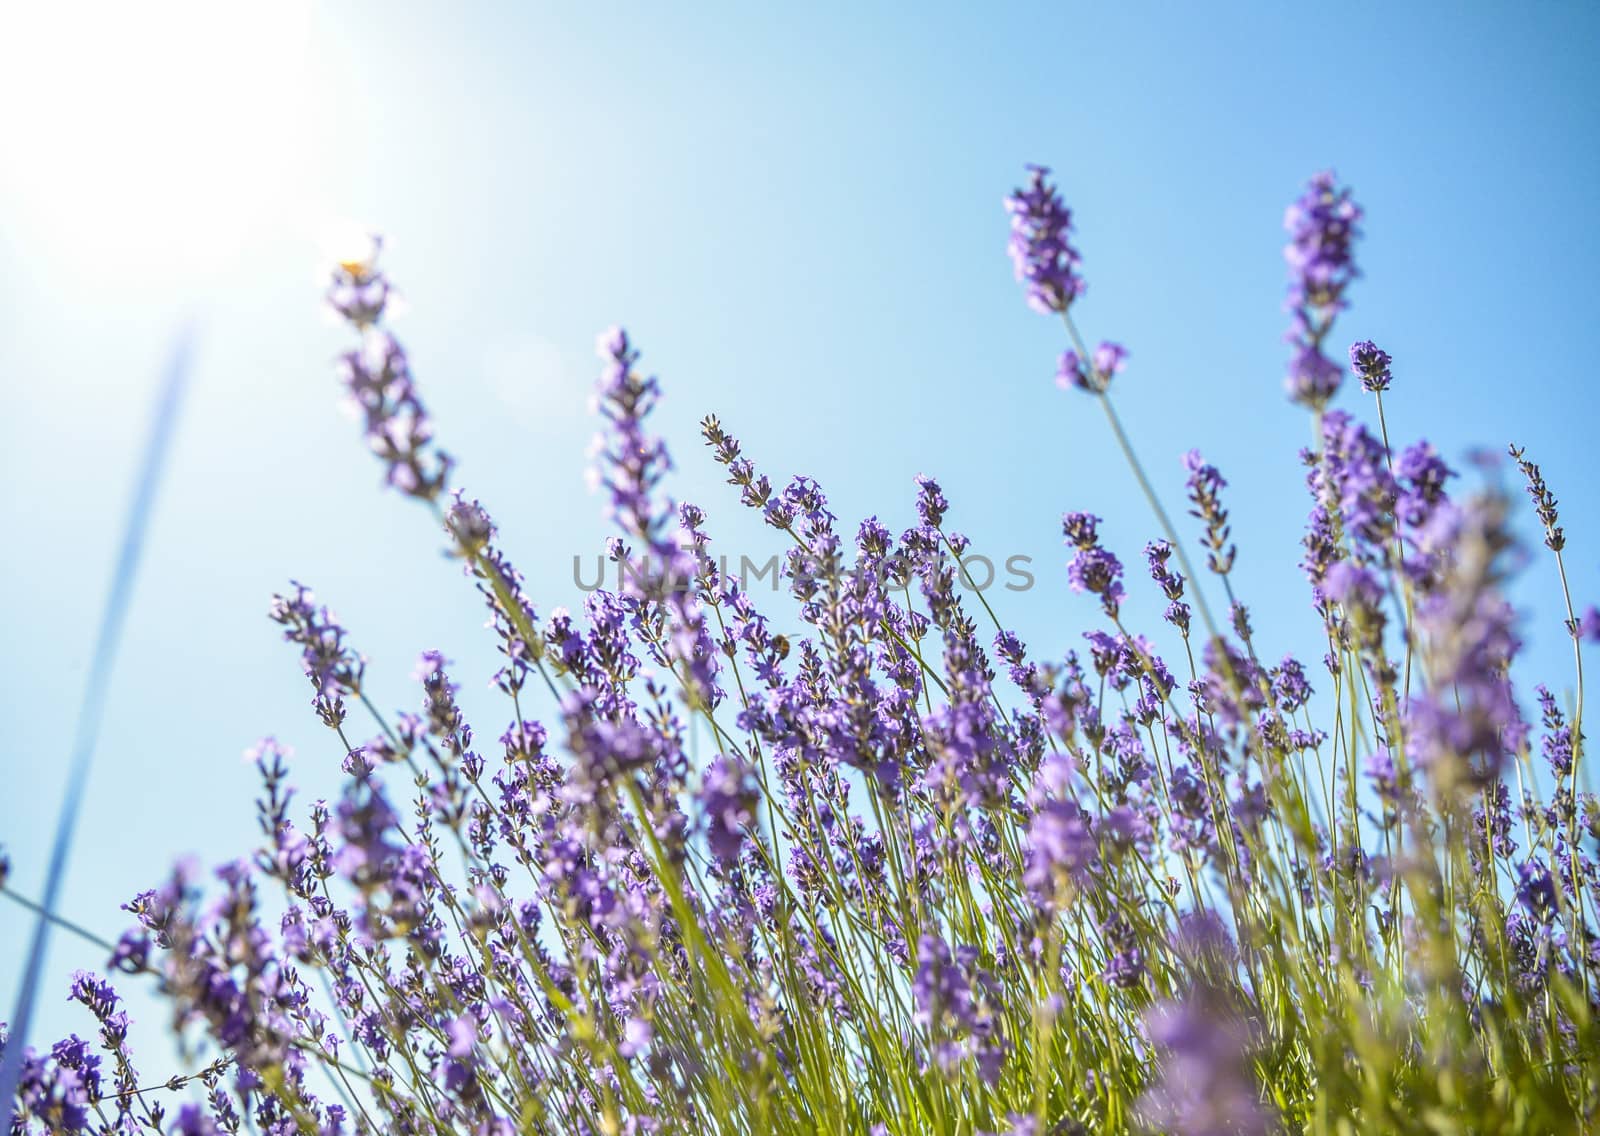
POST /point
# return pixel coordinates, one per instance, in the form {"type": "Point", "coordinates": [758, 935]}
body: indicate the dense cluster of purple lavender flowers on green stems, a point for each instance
{"type": "Point", "coordinates": [926, 882]}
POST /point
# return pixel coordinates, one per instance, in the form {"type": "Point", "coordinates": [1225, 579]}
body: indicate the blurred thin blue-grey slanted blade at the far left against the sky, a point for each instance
{"type": "Point", "coordinates": [164, 422]}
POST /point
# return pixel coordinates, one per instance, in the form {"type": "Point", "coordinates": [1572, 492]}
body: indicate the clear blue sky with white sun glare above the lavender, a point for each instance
{"type": "Point", "coordinates": [799, 217]}
